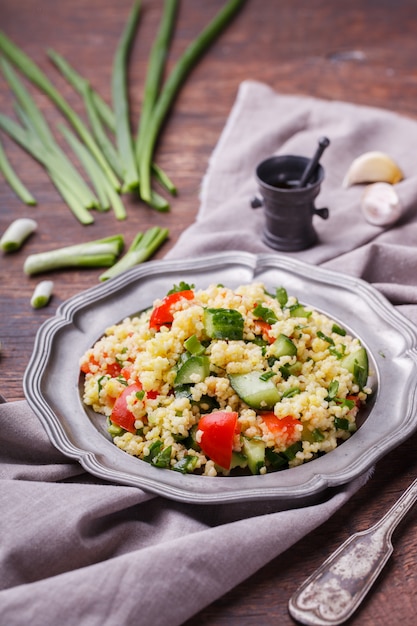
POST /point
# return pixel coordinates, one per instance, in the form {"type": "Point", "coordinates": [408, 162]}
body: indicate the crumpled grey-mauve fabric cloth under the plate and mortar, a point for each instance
{"type": "Point", "coordinates": [77, 550]}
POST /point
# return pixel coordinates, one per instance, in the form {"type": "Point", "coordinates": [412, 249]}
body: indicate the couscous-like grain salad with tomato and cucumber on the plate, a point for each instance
{"type": "Point", "coordinates": [222, 381]}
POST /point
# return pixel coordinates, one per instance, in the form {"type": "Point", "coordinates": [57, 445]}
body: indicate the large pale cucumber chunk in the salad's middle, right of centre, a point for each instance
{"type": "Point", "coordinates": [257, 393]}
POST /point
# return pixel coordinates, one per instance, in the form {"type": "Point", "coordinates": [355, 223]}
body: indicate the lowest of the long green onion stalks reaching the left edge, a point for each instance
{"type": "Point", "coordinates": [25, 140]}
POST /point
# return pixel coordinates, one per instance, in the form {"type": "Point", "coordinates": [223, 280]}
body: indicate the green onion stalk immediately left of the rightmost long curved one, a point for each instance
{"type": "Point", "coordinates": [156, 66]}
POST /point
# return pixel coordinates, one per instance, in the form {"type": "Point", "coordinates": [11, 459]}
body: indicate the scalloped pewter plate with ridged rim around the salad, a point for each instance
{"type": "Point", "coordinates": [52, 381]}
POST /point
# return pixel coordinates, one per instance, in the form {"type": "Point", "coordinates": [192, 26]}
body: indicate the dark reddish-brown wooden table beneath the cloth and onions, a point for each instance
{"type": "Point", "coordinates": [360, 51]}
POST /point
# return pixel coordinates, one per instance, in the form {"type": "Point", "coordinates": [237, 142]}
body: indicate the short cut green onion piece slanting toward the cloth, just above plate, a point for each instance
{"type": "Point", "coordinates": [142, 248]}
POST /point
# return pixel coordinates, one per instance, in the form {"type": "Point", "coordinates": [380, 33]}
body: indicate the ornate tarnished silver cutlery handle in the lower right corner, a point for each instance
{"type": "Point", "coordinates": [335, 590]}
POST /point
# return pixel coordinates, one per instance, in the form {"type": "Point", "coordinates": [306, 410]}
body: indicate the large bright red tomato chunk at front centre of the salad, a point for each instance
{"type": "Point", "coordinates": [218, 431]}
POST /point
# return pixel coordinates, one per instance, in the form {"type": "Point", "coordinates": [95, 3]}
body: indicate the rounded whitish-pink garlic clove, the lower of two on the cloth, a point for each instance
{"type": "Point", "coordinates": [380, 204]}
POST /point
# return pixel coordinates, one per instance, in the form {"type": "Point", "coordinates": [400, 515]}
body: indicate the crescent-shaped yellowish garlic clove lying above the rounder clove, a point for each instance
{"type": "Point", "coordinates": [373, 167]}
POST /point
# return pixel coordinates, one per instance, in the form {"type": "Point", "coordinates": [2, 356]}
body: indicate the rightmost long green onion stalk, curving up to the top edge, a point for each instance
{"type": "Point", "coordinates": [170, 88]}
